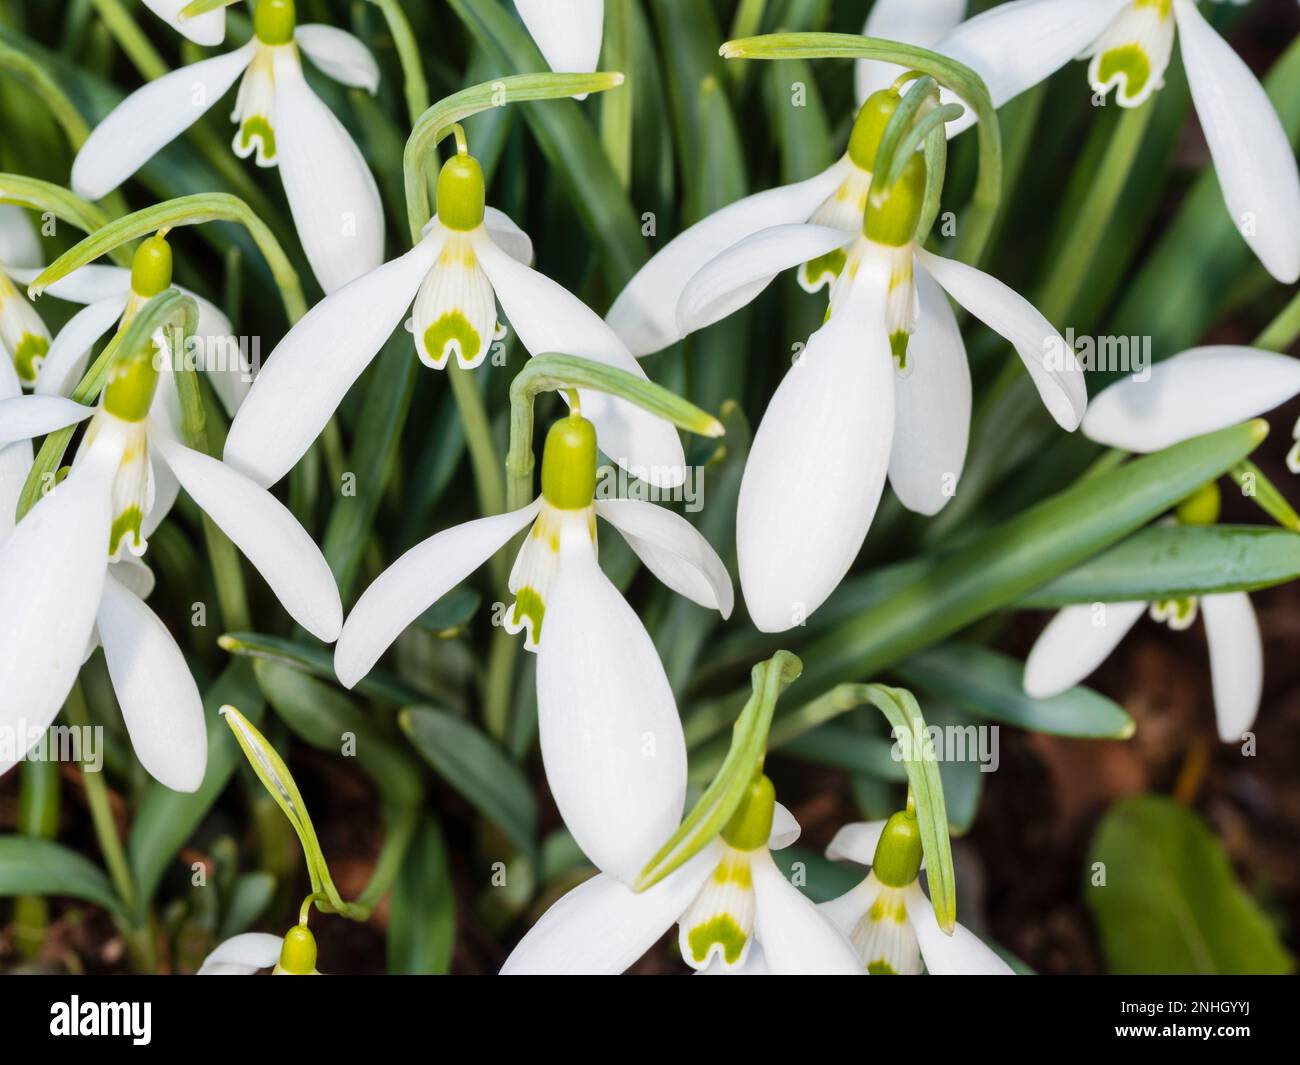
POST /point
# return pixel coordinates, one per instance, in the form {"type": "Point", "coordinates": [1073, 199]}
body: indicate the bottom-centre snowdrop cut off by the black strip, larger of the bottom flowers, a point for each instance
{"type": "Point", "coordinates": [727, 902]}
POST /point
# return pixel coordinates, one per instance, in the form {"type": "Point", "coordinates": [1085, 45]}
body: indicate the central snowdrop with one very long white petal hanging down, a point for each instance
{"type": "Point", "coordinates": [610, 734]}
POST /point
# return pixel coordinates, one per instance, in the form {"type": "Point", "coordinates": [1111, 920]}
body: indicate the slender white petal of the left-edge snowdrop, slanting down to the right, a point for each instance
{"type": "Point", "coordinates": [266, 532]}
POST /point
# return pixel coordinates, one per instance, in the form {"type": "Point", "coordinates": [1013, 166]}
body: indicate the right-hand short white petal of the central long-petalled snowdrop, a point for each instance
{"type": "Point", "coordinates": [674, 551]}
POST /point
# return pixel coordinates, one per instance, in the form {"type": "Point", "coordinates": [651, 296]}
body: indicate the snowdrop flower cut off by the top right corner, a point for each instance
{"type": "Point", "coordinates": [1129, 44]}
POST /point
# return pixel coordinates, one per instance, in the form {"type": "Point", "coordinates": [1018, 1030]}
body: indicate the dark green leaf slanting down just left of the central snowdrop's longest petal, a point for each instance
{"type": "Point", "coordinates": [476, 768]}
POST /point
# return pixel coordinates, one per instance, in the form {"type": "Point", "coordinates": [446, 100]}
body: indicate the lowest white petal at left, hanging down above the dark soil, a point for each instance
{"type": "Point", "coordinates": [161, 702]}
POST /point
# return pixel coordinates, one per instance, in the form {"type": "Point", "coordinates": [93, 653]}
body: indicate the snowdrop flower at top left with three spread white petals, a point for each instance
{"type": "Point", "coordinates": [332, 196]}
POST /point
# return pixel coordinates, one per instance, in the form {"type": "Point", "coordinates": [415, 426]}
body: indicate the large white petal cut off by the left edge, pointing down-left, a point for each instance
{"type": "Point", "coordinates": [53, 572]}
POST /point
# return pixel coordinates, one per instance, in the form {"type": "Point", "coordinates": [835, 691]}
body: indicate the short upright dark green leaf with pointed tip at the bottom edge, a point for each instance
{"type": "Point", "coordinates": [423, 908]}
